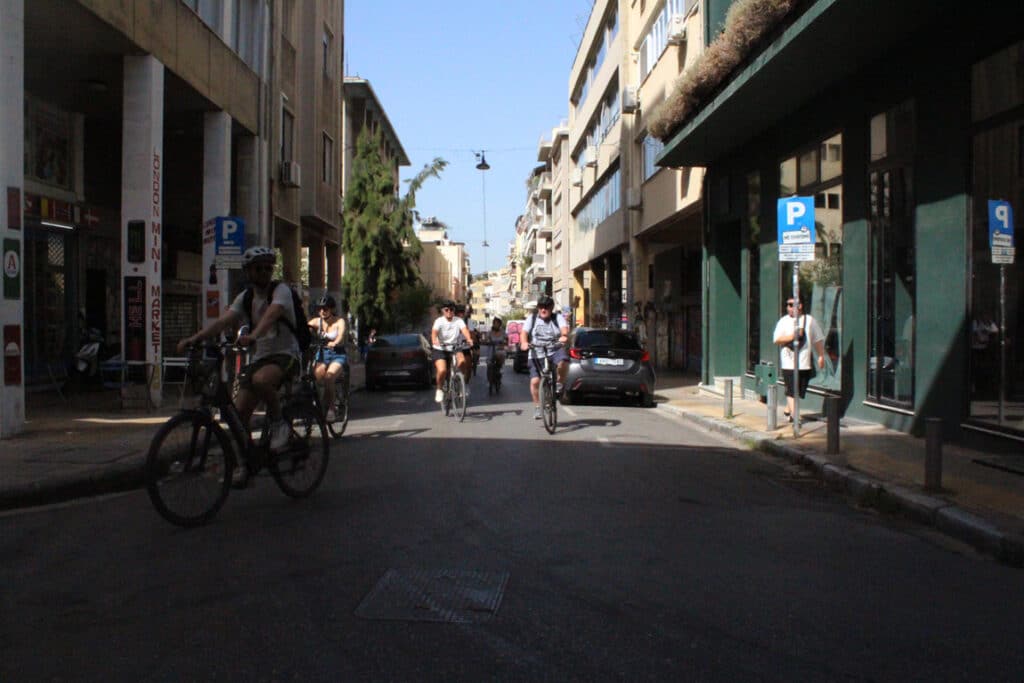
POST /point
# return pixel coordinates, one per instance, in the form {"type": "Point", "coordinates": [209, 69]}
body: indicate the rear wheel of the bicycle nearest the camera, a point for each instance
{"type": "Point", "coordinates": [302, 468]}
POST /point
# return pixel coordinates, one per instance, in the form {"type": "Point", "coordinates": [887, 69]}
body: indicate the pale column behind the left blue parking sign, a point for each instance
{"type": "Point", "coordinates": [217, 202]}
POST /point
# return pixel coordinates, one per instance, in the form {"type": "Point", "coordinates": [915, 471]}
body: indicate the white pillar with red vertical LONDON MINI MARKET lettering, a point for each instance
{"type": "Point", "coordinates": [142, 217]}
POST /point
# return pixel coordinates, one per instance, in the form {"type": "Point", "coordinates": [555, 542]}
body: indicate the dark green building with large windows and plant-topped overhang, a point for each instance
{"type": "Point", "coordinates": [903, 121]}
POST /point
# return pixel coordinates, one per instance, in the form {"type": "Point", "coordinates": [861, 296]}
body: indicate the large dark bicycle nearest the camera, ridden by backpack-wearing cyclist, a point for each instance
{"type": "Point", "coordinates": [193, 456]}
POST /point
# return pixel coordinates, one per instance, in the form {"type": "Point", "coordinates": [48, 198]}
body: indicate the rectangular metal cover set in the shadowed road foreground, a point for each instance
{"type": "Point", "coordinates": [445, 595]}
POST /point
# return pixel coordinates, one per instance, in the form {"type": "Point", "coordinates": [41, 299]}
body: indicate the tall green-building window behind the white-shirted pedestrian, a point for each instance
{"type": "Point", "coordinates": [822, 280]}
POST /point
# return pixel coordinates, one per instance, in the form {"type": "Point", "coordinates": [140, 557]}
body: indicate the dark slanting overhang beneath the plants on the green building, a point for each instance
{"type": "Point", "coordinates": [828, 44]}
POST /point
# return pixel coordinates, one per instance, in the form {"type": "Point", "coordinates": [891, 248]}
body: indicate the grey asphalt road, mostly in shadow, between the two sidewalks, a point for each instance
{"type": "Point", "coordinates": [629, 546]}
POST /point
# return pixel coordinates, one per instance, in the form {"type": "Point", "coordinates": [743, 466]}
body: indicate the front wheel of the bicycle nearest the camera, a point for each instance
{"type": "Point", "coordinates": [189, 469]}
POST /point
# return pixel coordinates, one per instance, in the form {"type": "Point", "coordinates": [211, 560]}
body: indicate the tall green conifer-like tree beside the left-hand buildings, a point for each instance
{"type": "Point", "coordinates": [380, 245]}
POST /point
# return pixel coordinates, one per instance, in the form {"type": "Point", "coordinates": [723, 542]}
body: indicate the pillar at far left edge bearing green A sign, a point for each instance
{"type": "Point", "coordinates": [12, 225]}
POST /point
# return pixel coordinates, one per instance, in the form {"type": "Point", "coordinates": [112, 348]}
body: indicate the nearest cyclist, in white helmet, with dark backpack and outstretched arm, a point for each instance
{"type": "Point", "coordinates": [277, 355]}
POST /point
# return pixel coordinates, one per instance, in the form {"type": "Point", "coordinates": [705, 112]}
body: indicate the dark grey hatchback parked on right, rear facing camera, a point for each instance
{"type": "Point", "coordinates": [609, 363]}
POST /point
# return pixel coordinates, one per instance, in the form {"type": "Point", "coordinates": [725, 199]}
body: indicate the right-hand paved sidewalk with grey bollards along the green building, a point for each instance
{"type": "Point", "coordinates": [979, 504]}
